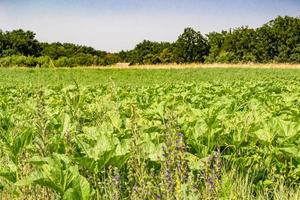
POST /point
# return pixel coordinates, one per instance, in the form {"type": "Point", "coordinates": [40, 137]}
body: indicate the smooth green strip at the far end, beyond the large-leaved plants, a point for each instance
{"type": "Point", "coordinates": [138, 77]}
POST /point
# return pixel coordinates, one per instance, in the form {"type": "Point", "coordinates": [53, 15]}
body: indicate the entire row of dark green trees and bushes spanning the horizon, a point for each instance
{"type": "Point", "coordinates": [277, 41]}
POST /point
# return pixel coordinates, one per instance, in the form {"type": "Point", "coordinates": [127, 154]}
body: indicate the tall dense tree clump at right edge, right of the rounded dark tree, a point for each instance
{"type": "Point", "coordinates": [276, 41]}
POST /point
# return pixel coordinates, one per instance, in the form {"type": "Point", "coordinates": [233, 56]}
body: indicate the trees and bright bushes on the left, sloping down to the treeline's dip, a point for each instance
{"type": "Point", "coordinates": [20, 48]}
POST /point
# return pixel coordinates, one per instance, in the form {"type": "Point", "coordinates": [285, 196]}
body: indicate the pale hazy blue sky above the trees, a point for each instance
{"type": "Point", "coordinates": [114, 25]}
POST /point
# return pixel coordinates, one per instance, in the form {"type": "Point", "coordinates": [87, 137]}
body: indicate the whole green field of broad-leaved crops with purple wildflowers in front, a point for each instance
{"type": "Point", "coordinates": [150, 134]}
